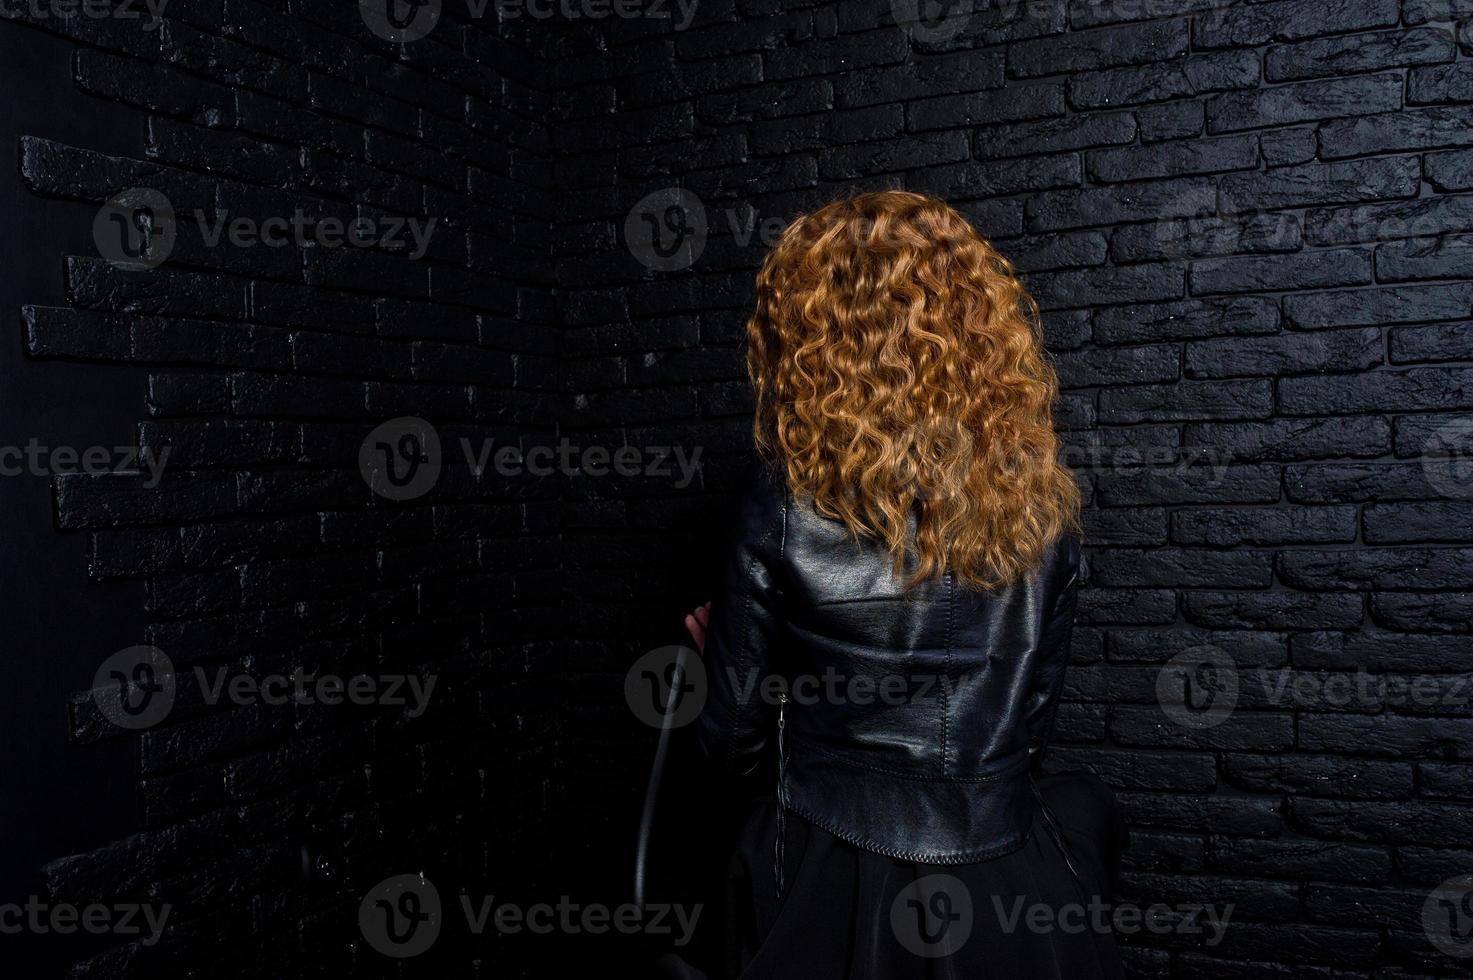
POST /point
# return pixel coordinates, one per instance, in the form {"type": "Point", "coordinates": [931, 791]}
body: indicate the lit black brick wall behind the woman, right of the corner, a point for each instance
{"type": "Point", "coordinates": [1245, 226]}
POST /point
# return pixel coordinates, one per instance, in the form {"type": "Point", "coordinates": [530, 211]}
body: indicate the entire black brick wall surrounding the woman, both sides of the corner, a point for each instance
{"type": "Point", "coordinates": [1248, 226]}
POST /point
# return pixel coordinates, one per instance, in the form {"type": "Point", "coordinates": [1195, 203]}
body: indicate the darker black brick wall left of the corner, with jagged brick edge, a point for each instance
{"type": "Point", "coordinates": [263, 549]}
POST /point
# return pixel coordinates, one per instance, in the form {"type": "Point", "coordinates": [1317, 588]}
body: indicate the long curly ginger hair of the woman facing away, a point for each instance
{"type": "Point", "coordinates": [902, 382]}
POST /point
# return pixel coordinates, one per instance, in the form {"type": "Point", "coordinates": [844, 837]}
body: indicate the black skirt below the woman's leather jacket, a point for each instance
{"type": "Point", "coordinates": [851, 914]}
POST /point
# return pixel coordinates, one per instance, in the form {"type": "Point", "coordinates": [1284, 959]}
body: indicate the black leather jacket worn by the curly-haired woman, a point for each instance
{"type": "Point", "coordinates": [910, 720]}
